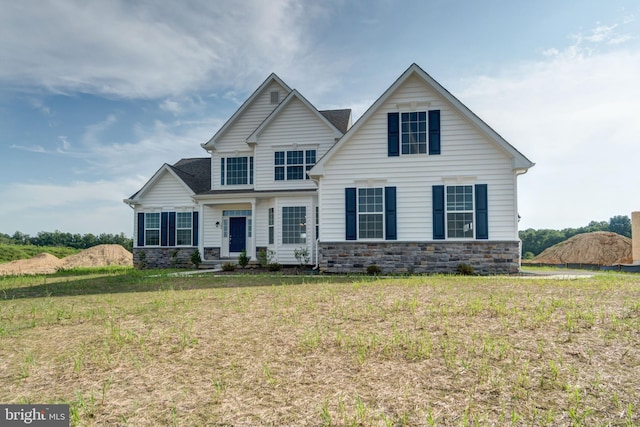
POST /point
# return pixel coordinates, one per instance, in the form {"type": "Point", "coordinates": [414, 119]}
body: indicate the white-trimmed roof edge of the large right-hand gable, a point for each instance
{"type": "Point", "coordinates": [519, 160]}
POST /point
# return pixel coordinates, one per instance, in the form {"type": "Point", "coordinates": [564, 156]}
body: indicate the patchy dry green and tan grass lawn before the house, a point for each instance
{"type": "Point", "coordinates": [124, 348]}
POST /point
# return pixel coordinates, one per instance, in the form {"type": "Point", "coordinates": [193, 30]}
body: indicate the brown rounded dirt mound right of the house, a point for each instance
{"type": "Point", "coordinates": [600, 247]}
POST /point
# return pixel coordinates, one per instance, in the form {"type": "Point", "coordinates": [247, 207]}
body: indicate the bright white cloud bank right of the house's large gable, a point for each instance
{"type": "Point", "coordinates": [574, 113]}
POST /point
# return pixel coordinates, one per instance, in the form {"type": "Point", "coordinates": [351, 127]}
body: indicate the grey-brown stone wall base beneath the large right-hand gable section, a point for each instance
{"type": "Point", "coordinates": [486, 257]}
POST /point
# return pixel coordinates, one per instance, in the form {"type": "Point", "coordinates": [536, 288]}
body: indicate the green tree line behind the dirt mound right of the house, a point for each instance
{"type": "Point", "coordinates": [536, 241]}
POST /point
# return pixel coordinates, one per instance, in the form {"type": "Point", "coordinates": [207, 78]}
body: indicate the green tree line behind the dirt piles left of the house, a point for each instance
{"type": "Point", "coordinates": [58, 238]}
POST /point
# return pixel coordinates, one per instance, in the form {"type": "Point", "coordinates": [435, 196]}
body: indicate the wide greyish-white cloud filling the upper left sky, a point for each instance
{"type": "Point", "coordinates": [155, 49]}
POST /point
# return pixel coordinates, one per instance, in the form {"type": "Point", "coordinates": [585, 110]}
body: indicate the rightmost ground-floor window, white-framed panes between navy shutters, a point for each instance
{"type": "Point", "coordinates": [459, 205]}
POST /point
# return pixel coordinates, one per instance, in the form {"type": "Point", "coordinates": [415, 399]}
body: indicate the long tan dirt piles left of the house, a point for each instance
{"type": "Point", "coordinates": [44, 263]}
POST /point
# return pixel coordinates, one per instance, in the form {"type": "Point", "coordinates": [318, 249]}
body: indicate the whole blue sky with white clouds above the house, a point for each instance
{"type": "Point", "coordinates": [96, 96]}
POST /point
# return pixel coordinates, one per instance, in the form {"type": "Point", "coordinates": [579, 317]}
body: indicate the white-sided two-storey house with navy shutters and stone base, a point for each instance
{"type": "Point", "coordinates": [418, 184]}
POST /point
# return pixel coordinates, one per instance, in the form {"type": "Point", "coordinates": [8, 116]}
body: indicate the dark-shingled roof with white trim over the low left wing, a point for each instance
{"type": "Point", "coordinates": [193, 174]}
